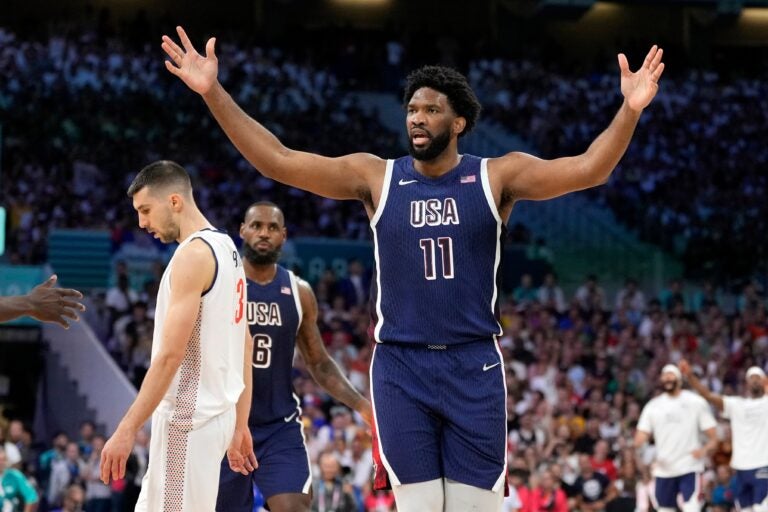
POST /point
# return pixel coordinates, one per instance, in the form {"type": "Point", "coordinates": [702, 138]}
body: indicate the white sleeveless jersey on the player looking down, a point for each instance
{"type": "Point", "coordinates": [210, 378]}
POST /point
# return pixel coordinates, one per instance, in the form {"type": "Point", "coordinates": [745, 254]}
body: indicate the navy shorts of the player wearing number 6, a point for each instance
{"type": "Point", "coordinates": [283, 467]}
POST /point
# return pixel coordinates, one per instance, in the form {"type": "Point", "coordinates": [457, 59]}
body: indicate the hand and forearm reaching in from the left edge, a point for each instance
{"type": "Point", "coordinates": [44, 303]}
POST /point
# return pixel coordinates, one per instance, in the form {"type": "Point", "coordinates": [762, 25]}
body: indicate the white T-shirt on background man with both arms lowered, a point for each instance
{"type": "Point", "coordinates": [676, 424]}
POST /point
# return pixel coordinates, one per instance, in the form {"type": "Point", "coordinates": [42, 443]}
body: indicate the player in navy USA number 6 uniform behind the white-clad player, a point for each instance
{"type": "Point", "coordinates": [281, 312]}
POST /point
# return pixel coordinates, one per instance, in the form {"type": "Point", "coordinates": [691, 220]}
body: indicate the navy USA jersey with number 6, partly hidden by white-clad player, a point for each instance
{"type": "Point", "coordinates": [274, 315]}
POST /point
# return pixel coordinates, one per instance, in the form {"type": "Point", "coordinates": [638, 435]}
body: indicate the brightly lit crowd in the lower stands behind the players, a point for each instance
{"type": "Point", "coordinates": [579, 369]}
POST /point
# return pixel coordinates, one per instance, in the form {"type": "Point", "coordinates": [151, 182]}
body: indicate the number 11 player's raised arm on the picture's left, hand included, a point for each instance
{"type": "Point", "coordinates": [346, 177]}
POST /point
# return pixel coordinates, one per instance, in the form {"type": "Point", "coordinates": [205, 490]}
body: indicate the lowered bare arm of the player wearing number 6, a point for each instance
{"type": "Point", "coordinates": [324, 369]}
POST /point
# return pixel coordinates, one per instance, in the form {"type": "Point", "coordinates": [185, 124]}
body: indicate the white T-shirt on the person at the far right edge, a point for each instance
{"type": "Point", "coordinates": [749, 425]}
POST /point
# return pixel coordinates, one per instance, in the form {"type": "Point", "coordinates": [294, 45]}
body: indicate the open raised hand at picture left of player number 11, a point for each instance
{"type": "Point", "coordinates": [198, 72]}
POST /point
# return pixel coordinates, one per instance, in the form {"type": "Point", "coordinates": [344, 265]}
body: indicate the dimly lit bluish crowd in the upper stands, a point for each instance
{"type": "Point", "coordinates": [101, 108]}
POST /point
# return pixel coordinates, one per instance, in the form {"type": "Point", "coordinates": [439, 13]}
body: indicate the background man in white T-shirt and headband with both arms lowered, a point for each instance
{"type": "Point", "coordinates": [675, 418]}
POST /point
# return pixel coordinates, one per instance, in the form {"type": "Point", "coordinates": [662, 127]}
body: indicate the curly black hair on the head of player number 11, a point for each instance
{"type": "Point", "coordinates": [451, 83]}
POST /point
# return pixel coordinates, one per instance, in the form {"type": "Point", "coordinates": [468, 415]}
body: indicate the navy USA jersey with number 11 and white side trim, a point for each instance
{"type": "Point", "coordinates": [438, 250]}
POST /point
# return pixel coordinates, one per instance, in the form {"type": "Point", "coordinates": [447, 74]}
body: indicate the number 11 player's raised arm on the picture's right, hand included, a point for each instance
{"type": "Point", "coordinates": [523, 176]}
